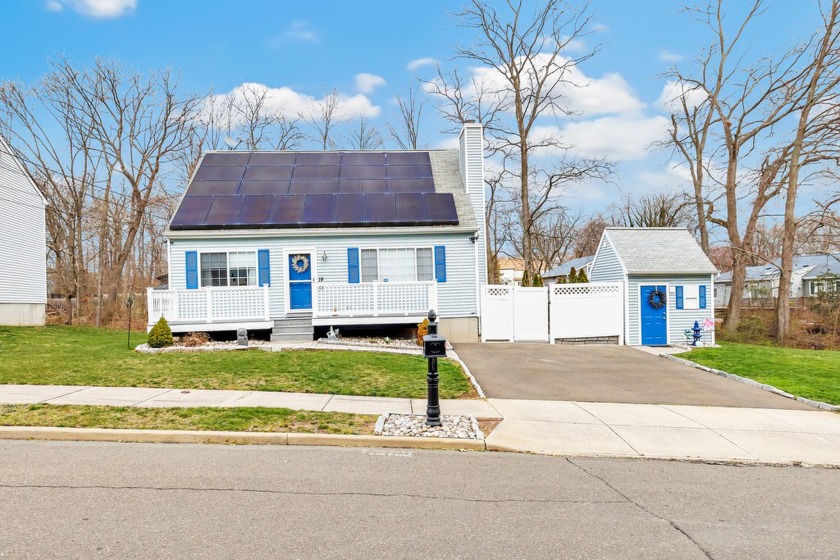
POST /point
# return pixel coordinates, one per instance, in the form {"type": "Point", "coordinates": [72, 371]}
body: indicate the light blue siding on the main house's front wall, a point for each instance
{"type": "Point", "coordinates": [456, 296]}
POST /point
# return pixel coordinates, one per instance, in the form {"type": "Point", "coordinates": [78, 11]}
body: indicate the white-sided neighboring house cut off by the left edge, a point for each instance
{"type": "Point", "coordinates": [23, 244]}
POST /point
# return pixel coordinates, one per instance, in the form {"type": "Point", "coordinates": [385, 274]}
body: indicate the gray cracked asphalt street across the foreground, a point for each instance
{"type": "Point", "coordinates": [110, 500]}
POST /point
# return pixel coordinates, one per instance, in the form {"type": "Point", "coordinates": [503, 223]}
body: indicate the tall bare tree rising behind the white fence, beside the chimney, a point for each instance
{"type": "Point", "coordinates": [530, 66]}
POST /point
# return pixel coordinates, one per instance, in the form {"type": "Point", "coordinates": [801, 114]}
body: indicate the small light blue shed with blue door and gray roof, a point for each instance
{"type": "Point", "coordinates": [668, 282]}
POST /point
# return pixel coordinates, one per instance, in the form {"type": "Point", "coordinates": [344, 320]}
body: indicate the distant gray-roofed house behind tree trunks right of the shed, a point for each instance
{"type": "Point", "coordinates": [810, 275]}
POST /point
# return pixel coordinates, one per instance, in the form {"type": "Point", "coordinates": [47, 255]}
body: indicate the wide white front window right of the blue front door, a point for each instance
{"type": "Point", "coordinates": [408, 264]}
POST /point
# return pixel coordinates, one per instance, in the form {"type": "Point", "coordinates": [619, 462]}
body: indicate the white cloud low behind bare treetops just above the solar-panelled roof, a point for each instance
{"type": "Point", "coordinates": [293, 104]}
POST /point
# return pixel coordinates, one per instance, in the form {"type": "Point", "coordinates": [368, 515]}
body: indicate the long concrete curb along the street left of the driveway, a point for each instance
{"type": "Point", "coordinates": [240, 438]}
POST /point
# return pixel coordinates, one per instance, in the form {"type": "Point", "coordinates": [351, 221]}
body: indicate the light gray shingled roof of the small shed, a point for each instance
{"type": "Point", "coordinates": [659, 251]}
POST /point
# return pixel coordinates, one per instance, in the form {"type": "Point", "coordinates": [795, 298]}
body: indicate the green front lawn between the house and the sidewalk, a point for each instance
{"type": "Point", "coordinates": [63, 355]}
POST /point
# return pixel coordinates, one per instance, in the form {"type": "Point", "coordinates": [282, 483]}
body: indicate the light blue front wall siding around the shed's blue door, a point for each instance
{"type": "Point", "coordinates": [678, 319]}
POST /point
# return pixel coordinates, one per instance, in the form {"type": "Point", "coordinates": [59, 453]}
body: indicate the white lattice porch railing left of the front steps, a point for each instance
{"type": "Point", "coordinates": [209, 305]}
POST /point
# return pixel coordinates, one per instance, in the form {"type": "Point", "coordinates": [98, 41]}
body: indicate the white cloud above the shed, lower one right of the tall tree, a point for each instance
{"type": "Point", "coordinates": [618, 138]}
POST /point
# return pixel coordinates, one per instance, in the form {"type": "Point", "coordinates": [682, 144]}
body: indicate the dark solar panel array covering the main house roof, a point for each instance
{"type": "Point", "coordinates": [313, 189]}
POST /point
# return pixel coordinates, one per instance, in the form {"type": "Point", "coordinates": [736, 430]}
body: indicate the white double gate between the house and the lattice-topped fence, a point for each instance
{"type": "Point", "coordinates": [514, 314]}
